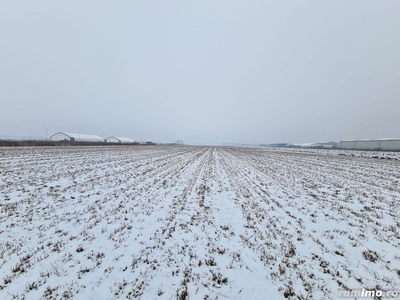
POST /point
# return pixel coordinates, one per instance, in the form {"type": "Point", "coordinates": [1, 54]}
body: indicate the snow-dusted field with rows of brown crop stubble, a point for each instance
{"type": "Point", "coordinates": [195, 222]}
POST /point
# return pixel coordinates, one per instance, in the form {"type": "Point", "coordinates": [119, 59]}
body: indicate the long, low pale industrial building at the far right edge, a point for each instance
{"type": "Point", "coordinates": [377, 144]}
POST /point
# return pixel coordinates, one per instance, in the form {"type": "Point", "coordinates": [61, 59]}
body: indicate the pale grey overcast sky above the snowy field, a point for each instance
{"type": "Point", "coordinates": [201, 71]}
